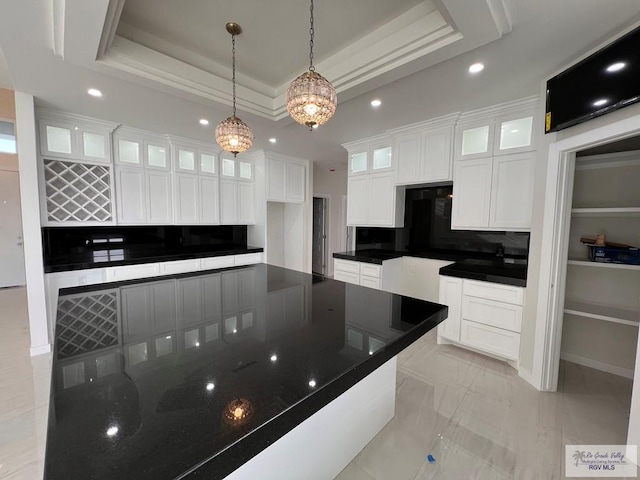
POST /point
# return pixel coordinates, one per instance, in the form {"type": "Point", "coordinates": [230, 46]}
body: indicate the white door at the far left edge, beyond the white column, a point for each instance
{"type": "Point", "coordinates": [12, 273]}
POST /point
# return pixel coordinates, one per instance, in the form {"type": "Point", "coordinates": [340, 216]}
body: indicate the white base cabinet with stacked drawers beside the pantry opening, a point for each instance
{"type": "Point", "coordinates": [484, 316]}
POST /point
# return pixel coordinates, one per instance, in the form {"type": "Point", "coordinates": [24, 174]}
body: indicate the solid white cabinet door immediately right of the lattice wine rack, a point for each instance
{"type": "Point", "coordinates": [131, 196]}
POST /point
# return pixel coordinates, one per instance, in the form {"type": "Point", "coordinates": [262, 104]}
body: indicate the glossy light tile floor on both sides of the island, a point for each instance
{"type": "Point", "coordinates": [473, 414]}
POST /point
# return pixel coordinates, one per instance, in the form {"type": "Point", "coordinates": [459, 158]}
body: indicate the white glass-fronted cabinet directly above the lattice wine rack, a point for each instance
{"type": "Point", "coordinates": [74, 137]}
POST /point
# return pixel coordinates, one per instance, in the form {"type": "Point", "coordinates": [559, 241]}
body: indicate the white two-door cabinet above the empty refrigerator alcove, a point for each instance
{"type": "Point", "coordinates": [286, 179]}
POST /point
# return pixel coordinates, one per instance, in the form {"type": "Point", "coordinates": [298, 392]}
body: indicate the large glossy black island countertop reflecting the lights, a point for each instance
{"type": "Point", "coordinates": [148, 376]}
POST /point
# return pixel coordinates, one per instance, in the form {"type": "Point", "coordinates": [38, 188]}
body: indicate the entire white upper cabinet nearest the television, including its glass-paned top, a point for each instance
{"type": "Point", "coordinates": [494, 168]}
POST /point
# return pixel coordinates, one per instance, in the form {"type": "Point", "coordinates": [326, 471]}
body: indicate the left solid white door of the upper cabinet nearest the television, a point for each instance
{"type": "Point", "coordinates": [471, 194]}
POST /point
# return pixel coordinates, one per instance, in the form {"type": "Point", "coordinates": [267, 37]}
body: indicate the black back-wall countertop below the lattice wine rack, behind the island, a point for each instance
{"type": "Point", "coordinates": [115, 256]}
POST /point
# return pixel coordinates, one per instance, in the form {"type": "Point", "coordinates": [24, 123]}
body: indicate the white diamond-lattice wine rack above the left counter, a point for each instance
{"type": "Point", "coordinates": [77, 192]}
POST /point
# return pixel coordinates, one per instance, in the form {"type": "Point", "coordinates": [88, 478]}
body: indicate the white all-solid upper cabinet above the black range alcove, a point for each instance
{"type": "Point", "coordinates": [424, 151]}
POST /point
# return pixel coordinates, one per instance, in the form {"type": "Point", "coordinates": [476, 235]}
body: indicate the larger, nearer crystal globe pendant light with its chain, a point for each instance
{"type": "Point", "coordinates": [311, 99]}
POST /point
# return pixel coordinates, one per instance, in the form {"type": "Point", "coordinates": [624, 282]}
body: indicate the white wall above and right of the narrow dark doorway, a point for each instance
{"type": "Point", "coordinates": [334, 186]}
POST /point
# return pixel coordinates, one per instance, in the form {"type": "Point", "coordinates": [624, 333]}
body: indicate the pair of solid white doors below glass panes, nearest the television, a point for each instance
{"type": "Point", "coordinates": [493, 193]}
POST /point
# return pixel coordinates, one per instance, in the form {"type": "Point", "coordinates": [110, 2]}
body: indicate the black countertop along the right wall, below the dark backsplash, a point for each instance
{"type": "Point", "coordinates": [467, 265]}
